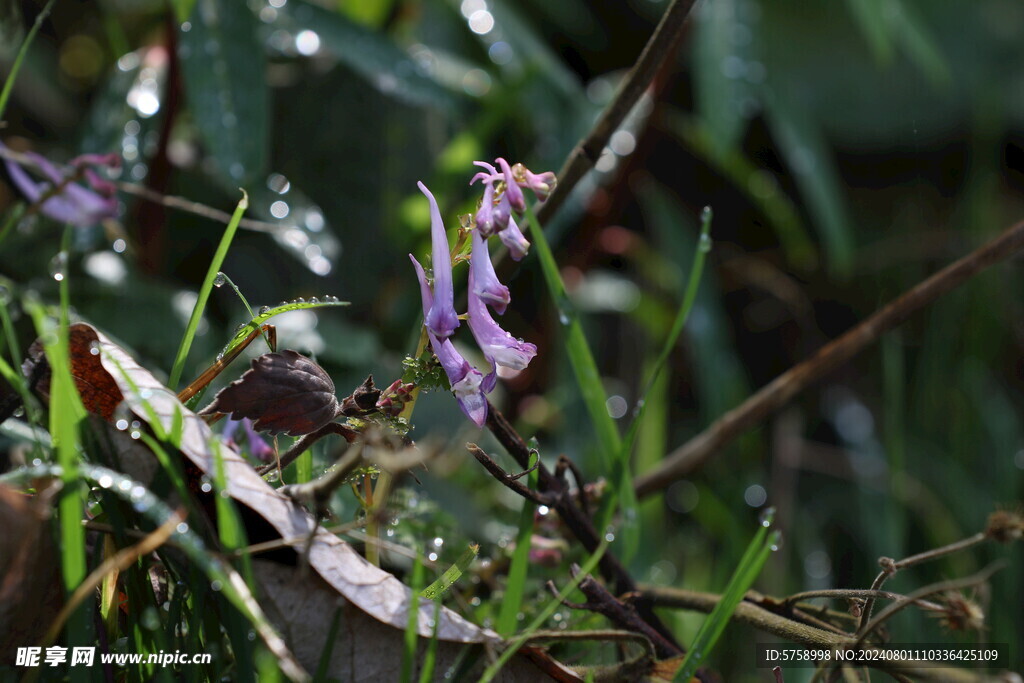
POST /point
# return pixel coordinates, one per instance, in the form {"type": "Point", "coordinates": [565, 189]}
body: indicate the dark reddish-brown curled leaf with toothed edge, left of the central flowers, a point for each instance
{"type": "Point", "coordinates": [283, 393]}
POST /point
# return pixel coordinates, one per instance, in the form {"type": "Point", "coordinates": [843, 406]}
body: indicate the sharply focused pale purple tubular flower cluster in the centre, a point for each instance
{"type": "Point", "coordinates": [503, 196]}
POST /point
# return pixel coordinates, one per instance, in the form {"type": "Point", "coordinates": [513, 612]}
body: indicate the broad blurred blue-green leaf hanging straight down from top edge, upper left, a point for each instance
{"type": "Point", "coordinates": [225, 67]}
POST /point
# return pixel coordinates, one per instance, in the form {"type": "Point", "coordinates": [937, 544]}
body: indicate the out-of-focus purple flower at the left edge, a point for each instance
{"type": "Point", "coordinates": [63, 200]}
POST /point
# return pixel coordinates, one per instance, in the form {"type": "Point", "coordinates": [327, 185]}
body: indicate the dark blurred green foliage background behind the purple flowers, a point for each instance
{"type": "Point", "coordinates": [848, 150]}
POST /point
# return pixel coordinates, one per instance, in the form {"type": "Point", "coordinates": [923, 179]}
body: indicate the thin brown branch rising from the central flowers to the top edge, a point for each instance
{"type": "Point", "coordinates": [661, 47]}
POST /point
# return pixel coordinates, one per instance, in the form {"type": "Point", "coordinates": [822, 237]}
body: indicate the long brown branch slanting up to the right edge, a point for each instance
{"type": "Point", "coordinates": [778, 394]}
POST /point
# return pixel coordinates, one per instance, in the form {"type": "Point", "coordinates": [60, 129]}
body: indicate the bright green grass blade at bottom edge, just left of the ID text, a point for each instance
{"type": "Point", "coordinates": [747, 572]}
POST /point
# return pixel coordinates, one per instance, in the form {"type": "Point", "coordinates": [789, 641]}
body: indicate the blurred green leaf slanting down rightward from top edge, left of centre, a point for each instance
{"type": "Point", "coordinates": [372, 55]}
